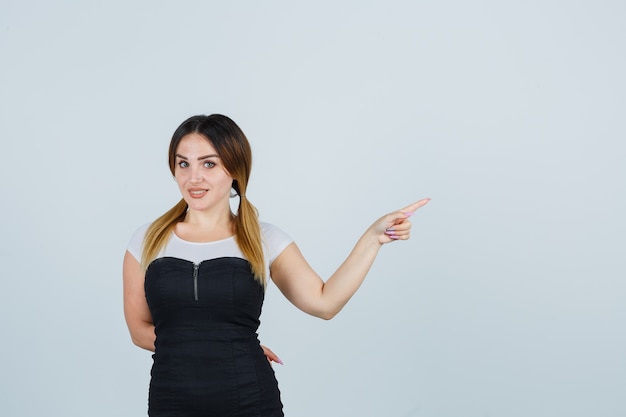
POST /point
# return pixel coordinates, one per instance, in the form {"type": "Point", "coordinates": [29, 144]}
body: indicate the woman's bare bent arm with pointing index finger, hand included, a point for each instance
{"type": "Point", "coordinates": [307, 291]}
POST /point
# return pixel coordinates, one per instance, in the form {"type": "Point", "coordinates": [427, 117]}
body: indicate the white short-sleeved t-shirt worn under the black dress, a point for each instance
{"type": "Point", "coordinates": [274, 242]}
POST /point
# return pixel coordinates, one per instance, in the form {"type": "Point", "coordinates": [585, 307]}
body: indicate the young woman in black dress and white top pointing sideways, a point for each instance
{"type": "Point", "coordinates": [194, 280]}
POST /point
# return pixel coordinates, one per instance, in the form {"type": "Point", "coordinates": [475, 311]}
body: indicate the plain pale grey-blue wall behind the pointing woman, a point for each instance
{"type": "Point", "coordinates": [508, 301]}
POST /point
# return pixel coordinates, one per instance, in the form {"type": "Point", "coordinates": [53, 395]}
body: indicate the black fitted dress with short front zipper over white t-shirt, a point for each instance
{"type": "Point", "coordinates": [208, 361]}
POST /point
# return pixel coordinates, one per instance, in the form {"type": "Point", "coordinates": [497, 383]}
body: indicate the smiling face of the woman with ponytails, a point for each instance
{"type": "Point", "coordinates": [201, 177]}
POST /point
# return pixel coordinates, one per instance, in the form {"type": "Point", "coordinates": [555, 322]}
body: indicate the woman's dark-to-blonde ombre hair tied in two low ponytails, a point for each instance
{"type": "Point", "coordinates": [234, 150]}
